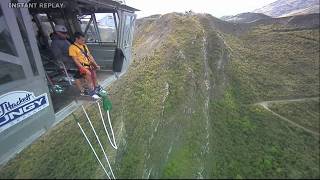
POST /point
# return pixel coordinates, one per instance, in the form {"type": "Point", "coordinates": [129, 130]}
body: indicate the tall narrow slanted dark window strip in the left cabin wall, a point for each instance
{"type": "Point", "coordinates": [26, 41]}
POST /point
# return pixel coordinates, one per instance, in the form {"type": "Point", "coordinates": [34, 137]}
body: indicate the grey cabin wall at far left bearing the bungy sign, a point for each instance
{"type": "Point", "coordinates": [20, 125]}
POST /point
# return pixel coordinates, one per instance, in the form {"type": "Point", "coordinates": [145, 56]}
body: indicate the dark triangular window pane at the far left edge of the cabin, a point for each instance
{"type": "Point", "coordinates": [6, 43]}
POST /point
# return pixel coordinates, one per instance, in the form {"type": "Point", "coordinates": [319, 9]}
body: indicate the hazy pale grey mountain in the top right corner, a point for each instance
{"type": "Point", "coordinates": [282, 8]}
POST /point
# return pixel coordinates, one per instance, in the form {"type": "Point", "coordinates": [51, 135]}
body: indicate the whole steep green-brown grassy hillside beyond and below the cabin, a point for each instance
{"type": "Point", "coordinates": [193, 105]}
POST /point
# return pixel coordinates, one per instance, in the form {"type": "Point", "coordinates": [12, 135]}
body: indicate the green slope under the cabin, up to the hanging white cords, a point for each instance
{"type": "Point", "coordinates": [62, 152]}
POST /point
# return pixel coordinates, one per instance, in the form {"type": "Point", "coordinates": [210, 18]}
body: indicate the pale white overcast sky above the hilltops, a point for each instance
{"type": "Point", "coordinates": [216, 8]}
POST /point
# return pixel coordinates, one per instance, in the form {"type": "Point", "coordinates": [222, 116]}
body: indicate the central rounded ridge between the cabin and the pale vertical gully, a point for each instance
{"type": "Point", "coordinates": [164, 103]}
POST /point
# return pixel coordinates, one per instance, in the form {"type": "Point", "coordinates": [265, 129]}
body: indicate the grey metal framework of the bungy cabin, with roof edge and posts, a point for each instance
{"type": "Point", "coordinates": [18, 136]}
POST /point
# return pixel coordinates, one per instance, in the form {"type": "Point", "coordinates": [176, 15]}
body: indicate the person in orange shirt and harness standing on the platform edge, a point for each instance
{"type": "Point", "coordinates": [85, 62]}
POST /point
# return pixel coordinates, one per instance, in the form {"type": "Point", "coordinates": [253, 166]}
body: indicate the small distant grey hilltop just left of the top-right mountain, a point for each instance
{"type": "Point", "coordinates": [245, 17]}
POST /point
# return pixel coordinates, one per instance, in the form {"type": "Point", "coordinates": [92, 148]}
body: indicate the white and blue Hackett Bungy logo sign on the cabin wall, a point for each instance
{"type": "Point", "coordinates": [19, 105]}
